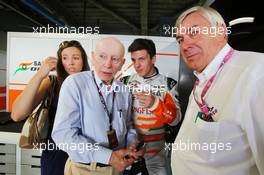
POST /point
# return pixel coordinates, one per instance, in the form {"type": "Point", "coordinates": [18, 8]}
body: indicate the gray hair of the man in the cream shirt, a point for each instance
{"type": "Point", "coordinates": [213, 17]}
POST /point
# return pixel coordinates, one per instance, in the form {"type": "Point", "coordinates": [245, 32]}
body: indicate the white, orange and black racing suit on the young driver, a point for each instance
{"type": "Point", "coordinates": [150, 122]}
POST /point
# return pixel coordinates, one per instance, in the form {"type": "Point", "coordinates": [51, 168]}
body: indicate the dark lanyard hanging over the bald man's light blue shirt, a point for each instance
{"type": "Point", "coordinates": [110, 115]}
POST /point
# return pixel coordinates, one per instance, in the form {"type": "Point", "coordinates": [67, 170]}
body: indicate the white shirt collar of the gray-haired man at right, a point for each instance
{"type": "Point", "coordinates": [211, 68]}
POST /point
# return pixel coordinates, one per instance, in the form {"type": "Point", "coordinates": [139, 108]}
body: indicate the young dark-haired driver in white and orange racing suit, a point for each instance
{"type": "Point", "coordinates": [154, 106]}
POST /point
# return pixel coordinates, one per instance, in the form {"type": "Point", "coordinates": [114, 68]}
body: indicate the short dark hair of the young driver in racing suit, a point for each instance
{"type": "Point", "coordinates": [143, 44]}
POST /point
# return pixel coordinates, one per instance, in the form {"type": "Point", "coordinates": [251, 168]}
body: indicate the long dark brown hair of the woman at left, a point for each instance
{"type": "Point", "coordinates": [62, 74]}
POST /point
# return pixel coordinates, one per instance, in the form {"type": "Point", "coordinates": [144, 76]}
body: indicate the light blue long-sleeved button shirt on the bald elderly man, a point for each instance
{"type": "Point", "coordinates": [81, 123]}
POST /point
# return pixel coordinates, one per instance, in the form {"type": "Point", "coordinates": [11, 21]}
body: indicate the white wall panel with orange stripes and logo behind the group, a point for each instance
{"type": "Point", "coordinates": [25, 51]}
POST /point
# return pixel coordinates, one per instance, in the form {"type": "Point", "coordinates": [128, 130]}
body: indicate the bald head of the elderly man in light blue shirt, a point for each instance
{"type": "Point", "coordinates": [108, 58]}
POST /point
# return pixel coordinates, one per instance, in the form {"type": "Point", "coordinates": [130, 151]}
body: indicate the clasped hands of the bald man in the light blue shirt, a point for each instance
{"type": "Point", "coordinates": [123, 158]}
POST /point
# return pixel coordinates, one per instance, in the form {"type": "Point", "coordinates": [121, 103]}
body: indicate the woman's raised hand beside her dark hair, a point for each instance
{"type": "Point", "coordinates": [49, 64]}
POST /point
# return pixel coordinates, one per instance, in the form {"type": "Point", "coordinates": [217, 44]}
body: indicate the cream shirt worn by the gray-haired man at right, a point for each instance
{"type": "Point", "coordinates": [234, 143]}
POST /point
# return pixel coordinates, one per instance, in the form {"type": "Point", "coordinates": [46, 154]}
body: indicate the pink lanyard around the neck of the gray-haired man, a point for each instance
{"type": "Point", "coordinates": [204, 106]}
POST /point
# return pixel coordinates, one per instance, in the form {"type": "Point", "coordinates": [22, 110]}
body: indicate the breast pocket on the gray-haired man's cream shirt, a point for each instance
{"type": "Point", "coordinates": [203, 138]}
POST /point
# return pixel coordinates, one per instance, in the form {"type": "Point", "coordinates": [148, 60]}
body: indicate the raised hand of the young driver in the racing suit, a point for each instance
{"type": "Point", "coordinates": [145, 100]}
